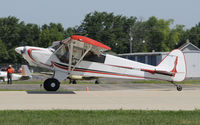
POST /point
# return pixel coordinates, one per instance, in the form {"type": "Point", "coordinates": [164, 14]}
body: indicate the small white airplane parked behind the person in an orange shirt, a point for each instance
{"type": "Point", "coordinates": [23, 76]}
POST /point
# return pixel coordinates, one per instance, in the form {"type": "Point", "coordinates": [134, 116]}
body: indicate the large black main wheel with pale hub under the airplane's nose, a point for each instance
{"type": "Point", "coordinates": [51, 84]}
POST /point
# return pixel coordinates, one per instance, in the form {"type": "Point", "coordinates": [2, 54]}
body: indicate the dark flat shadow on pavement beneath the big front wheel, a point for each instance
{"type": "Point", "coordinates": [49, 92]}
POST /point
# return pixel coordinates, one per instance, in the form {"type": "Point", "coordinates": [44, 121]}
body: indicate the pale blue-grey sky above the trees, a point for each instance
{"type": "Point", "coordinates": [72, 12]}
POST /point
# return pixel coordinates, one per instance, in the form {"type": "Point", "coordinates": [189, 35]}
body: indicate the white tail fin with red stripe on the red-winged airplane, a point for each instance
{"type": "Point", "coordinates": [173, 65]}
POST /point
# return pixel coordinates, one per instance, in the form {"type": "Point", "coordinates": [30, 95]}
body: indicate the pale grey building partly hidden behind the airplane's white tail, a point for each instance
{"type": "Point", "coordinates": [191, 52]}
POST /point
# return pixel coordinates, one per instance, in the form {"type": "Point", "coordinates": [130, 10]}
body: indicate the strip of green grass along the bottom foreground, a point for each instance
{"type": "Point", "coordinates": [109, 117]}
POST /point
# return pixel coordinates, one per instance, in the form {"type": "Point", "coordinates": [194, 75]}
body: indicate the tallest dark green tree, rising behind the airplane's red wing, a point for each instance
{"type": "Point", "coordinates": [107, 28]}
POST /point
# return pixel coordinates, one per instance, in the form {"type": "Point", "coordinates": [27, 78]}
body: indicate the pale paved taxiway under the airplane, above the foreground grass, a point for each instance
{"type": "Point", "coordinates": [116, 96]}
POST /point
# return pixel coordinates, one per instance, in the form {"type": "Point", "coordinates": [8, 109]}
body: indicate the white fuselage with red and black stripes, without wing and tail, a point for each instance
{"type": "Point", "coordinates": [108, 66]}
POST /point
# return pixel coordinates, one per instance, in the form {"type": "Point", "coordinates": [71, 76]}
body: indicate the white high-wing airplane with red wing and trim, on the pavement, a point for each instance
{"type": "Point", "coordinates": [79, 57]}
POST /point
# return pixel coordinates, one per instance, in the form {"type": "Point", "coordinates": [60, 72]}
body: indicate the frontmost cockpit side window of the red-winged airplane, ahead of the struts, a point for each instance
{"type": "Point", "coordinates": [63, 54]}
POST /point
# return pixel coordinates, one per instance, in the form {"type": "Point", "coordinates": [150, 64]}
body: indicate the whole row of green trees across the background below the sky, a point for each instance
{"type": "Point", "coordinates": [116, 31]}
